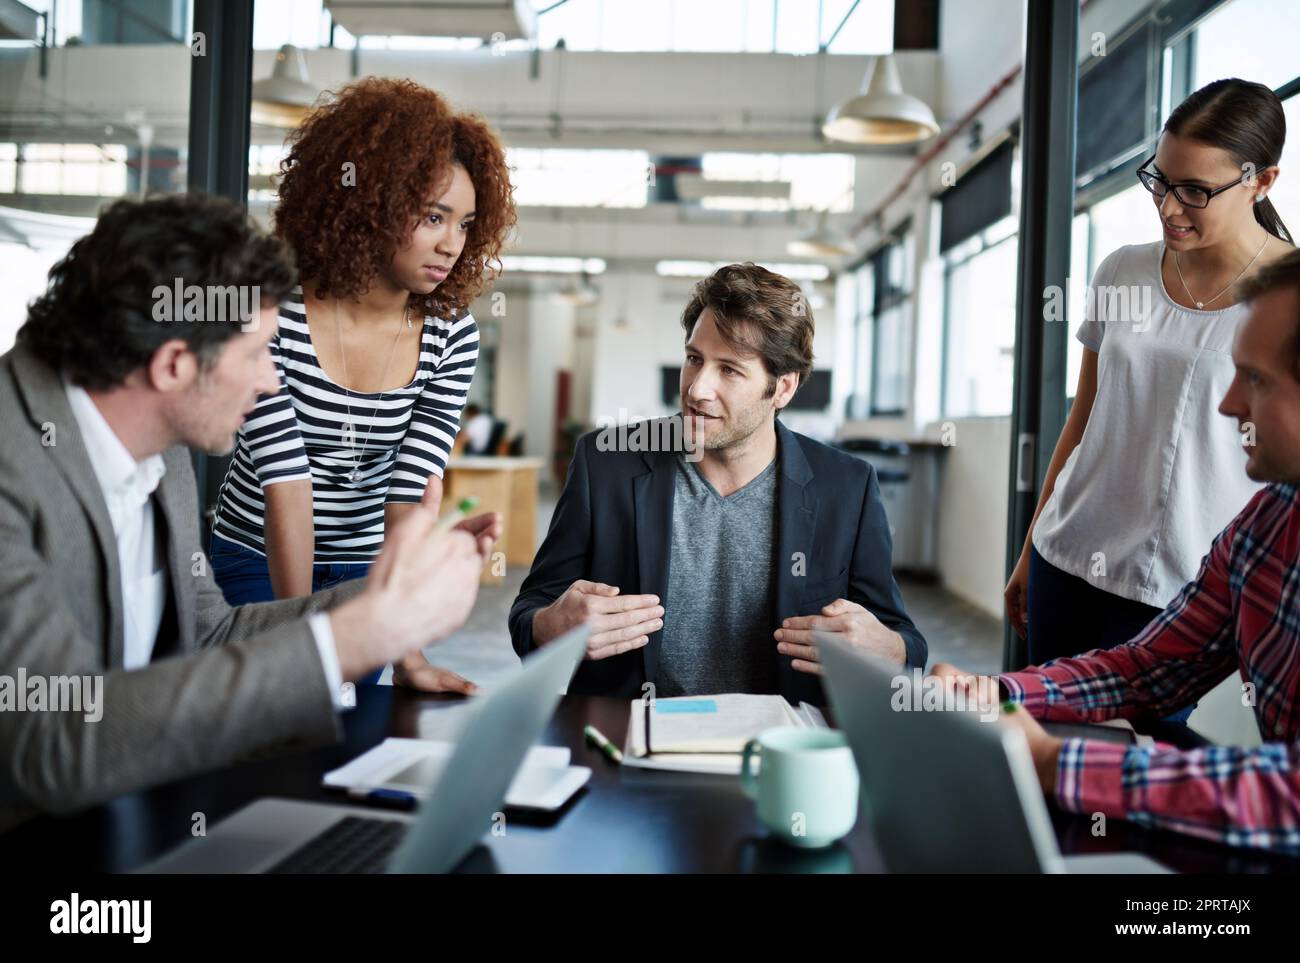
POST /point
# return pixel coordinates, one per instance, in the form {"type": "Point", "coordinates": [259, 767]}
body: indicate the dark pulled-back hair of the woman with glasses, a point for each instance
{"type": "Point", "coordinates": [1243, 119]}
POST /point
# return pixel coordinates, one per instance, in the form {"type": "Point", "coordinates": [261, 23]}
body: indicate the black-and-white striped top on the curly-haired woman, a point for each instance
{"type": "Point", "coordinates": [398, 439]}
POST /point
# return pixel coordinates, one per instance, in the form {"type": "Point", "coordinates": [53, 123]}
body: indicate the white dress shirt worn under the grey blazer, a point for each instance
{"type": "Point", "coordinates": [128, 488]}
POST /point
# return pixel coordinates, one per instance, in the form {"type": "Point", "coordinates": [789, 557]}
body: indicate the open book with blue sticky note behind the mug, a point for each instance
{"type": "Point", "coordinates": [707, 734]}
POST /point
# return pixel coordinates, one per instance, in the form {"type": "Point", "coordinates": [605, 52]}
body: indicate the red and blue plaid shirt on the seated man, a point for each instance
{"type": "Point", "coordinates": [1241, 613]}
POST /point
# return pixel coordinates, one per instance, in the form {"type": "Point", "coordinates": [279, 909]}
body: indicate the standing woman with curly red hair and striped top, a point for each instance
{"type": "Point", "coordinates": [397, 209]}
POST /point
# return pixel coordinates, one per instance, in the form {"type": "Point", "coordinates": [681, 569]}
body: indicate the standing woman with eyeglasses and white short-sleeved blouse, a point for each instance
{"type": "Point", "coordinates": [1147, 472]}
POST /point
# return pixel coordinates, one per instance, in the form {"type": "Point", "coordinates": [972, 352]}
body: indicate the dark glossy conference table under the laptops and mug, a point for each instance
{"type": "Point", "coordinates": [625, 821]}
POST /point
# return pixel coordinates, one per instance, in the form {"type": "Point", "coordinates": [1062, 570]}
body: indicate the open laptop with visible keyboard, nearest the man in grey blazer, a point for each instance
{"type": "Point", "coordinates": [284, 836]}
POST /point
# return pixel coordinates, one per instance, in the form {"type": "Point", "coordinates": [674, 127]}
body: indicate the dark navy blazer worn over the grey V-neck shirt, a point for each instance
{"type": "Point", "coordinates": [614, 524]}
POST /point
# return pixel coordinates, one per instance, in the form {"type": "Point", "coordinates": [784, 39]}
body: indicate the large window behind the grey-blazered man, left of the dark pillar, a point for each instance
{"type": "Point", "coordinates": [86, 135]}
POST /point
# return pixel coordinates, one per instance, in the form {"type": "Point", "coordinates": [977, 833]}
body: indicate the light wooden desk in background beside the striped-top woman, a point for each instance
{"type": "Point", "coordinates": [506, 485]}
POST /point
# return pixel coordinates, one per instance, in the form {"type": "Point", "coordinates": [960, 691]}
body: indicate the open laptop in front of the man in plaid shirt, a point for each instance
{"type": "Point", "coordinates": [946, 792]}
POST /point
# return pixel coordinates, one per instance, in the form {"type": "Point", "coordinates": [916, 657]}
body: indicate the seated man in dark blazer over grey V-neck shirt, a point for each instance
{"type": "Point", "coordinates": [705, 549]}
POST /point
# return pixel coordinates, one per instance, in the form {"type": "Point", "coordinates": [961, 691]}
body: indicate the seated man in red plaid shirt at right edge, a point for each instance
{"type": "Point", "coordinates": [1241, 613]}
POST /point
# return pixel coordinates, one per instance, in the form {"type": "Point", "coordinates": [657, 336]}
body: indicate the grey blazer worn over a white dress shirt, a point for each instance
{"type": "Point", "coordinates": [233, 680]}
